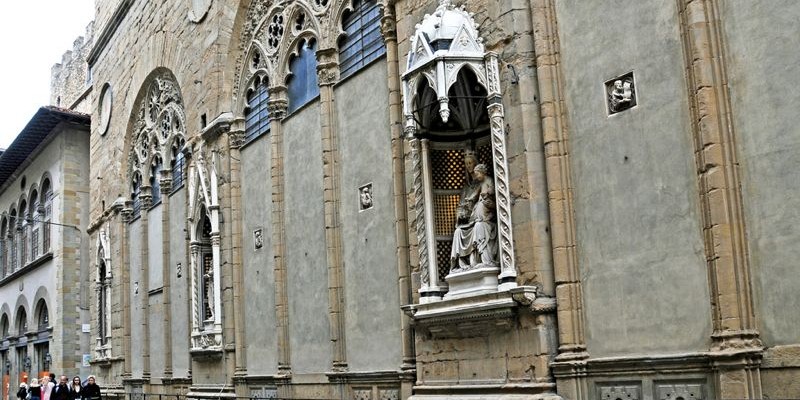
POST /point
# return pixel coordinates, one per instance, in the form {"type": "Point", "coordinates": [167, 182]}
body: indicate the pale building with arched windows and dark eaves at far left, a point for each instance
{"type": "Point", "coordinates": [44, 190]}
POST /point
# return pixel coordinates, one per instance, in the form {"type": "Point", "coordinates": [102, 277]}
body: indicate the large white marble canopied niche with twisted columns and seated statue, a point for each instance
{"type": "Point", "coordinates": [455, 124]}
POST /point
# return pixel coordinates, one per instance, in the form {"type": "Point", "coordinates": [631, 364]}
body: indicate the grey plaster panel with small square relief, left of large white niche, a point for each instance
{"type": "Point", "coordinates": [373, 316]}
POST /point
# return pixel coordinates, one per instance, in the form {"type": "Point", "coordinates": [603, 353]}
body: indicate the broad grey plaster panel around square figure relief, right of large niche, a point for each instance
{"type": "Point", "coordinates": [636, 204]}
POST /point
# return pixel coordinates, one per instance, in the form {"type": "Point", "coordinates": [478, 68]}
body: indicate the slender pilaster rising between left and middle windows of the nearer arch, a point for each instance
{"type": "Point", "coordinates": [278, 105]}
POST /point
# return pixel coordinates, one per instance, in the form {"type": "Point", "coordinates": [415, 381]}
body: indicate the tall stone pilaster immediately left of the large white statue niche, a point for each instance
{"type": "Point", "coordinates": [389, 31]}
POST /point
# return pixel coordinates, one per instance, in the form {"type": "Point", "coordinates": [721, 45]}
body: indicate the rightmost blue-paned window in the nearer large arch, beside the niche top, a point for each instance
{"type": "Point", "coordinates": [362, 42]}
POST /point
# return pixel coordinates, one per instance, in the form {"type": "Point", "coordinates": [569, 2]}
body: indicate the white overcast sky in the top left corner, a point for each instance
{"type": "Point", "coordinates": [33, 36]}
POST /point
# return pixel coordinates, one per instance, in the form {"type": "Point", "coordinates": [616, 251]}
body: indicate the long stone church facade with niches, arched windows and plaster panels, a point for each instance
{"type": "Point", "coordinates": [361, 199]}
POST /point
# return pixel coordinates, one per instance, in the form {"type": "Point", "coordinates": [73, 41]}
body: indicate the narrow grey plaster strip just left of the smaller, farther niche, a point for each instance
{"type": "Point", "coordinates": [180, 300]}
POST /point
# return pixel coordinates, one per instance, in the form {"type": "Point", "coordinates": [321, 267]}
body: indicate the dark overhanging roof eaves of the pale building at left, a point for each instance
{"type": "Point", "coordinates": [29, 142]}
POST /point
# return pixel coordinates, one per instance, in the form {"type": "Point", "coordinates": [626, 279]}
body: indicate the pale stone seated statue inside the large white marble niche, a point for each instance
{"type": "Point", "coordinates": [475, 236]}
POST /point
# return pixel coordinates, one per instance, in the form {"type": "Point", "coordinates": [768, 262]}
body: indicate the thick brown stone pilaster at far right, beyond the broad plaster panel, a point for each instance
{"type": "Point", "coordinates": [736, 347]}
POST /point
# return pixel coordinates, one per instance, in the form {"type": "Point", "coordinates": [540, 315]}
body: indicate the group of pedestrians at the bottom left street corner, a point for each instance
{"type": "Point", "coordinates": [48, 389]}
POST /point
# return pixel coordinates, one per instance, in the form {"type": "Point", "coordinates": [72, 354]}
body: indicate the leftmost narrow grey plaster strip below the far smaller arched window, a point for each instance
{"type": "Point", "coordinates": [137, 329]}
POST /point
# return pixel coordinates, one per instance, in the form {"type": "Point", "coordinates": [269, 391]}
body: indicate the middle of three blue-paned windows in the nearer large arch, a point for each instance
{"type": "Point", "coordinates": [302, 86]}
